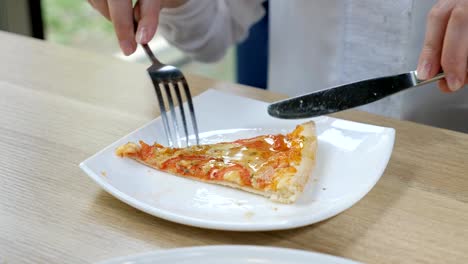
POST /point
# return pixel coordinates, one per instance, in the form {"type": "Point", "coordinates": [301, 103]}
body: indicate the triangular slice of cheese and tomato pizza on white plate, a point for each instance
{"type": "Point", "coordinates": [275, 166]}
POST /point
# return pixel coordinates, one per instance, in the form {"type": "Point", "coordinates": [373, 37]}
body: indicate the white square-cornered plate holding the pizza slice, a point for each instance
{"type": "Point", "coordinates": [351, 158]}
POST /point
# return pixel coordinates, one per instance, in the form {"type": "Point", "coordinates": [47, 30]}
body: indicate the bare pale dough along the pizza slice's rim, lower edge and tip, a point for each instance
{"type": "Point", "coordinates": [288, 188]}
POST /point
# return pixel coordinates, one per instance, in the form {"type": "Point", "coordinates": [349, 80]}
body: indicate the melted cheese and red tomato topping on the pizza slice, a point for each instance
{"type": "Point", "coordinates": [247, 162]}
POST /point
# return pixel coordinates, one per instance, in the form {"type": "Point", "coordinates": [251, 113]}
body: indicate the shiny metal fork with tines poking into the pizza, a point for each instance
{"type": "Point", "coordinates": [165, 76]}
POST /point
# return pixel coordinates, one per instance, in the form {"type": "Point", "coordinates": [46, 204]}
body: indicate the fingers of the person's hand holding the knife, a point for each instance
{"type": "Point", "coordinates": [446, 44]}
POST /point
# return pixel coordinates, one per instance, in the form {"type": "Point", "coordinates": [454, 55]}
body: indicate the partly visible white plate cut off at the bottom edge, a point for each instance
{"type": "Point", "coordinates": [230, 255]}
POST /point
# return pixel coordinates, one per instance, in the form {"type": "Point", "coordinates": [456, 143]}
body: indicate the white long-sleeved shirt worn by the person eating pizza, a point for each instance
{"type": "Point", "coordinates": [315, 44]}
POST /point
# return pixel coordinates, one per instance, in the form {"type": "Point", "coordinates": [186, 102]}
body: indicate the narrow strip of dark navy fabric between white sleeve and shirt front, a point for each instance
{"type": "Point", "coordinates": [252, 55]}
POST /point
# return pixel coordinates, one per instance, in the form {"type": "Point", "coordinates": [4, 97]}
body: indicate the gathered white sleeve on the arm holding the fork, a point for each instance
{"type": "Point", "coordinates": [204, 29]}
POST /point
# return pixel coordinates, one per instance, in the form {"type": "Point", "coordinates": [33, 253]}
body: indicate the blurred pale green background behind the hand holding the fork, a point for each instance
{"type": "Point", "coordinates": [75, 23]}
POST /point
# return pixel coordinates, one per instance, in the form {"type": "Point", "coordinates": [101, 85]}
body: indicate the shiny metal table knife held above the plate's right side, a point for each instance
{"type": "Point", "coordinates": [346, 96]}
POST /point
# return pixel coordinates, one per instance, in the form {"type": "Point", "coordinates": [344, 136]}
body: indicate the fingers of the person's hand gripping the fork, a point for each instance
{"type": "Point", "coordinates": [121, 13]}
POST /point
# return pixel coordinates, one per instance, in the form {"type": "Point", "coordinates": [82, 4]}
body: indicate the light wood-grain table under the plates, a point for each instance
{"type": "Point", "coordinates": [59, 105]}
